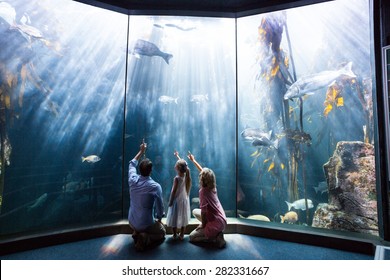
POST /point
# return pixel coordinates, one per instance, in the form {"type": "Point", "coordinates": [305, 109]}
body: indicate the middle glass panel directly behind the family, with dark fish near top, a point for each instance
{"type": "Point", "coordinates": [181, 96]}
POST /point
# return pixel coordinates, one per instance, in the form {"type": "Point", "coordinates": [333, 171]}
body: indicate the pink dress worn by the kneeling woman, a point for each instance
{"type": "Point", "coordinates": [216, 218]}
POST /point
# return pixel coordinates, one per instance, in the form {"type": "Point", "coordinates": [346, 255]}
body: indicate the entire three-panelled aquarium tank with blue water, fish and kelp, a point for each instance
{"type": "Point", "coordinates": [280, 105]}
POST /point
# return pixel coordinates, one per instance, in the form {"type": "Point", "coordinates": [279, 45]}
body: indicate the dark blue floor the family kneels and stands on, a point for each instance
{"type": "Point", "coordinates": [239, 247]}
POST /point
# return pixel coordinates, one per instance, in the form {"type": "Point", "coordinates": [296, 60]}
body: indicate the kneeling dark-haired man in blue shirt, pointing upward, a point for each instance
{"type": "Point", "coordinates": [146, 203]}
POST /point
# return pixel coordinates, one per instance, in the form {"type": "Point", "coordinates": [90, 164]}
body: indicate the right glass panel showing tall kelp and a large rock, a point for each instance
{"type": "Point", "coordinates": [305, 117]}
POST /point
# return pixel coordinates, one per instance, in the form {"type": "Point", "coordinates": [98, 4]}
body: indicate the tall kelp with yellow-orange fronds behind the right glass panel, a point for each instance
{"type": "Point", "coordinates": [275, 71]}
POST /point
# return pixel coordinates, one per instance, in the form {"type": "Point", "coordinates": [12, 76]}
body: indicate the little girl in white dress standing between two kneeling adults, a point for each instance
{"type": "Point", "coordinates": [179, 206]}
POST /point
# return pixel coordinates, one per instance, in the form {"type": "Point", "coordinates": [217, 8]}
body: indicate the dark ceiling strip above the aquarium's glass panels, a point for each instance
{"type": "Point", "coordinates": [226, 8]}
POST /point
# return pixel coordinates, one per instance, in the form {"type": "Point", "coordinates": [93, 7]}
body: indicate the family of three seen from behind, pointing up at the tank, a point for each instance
{"type": "Point", "coordinates": [146, 200]}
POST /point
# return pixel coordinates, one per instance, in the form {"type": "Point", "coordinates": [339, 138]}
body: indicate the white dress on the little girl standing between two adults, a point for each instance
{"type": "Point", "coordinates": [179, 213]}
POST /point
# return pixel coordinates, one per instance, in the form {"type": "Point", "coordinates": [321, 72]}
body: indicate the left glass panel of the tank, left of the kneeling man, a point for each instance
{"type": "Point", "coordinates": [62, 77]}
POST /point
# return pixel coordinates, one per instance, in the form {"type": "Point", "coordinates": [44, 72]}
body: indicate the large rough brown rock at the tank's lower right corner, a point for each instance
{"type": "Point", "coordinates": [352, 204]}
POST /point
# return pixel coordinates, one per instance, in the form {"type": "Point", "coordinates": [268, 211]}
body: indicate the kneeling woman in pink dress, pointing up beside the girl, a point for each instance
{"type": "Point", "coordinates": [211, 214]}
